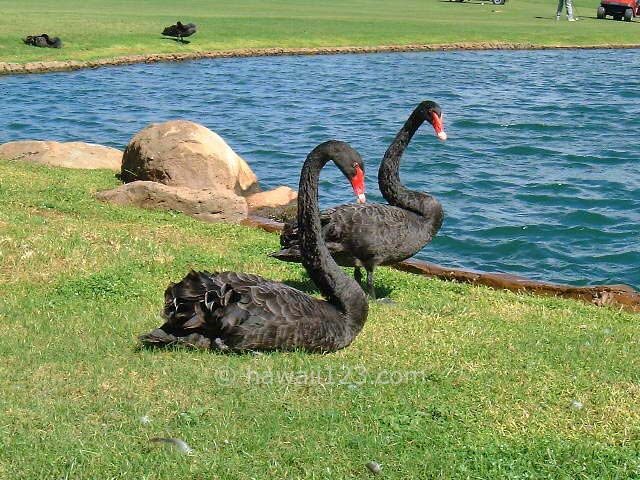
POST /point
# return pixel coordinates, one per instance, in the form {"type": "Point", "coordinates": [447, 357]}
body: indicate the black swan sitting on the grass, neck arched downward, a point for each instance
{"type": "Point", "coordinates": [235, 312]}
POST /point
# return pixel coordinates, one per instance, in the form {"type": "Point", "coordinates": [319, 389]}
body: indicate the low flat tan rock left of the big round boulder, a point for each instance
{"type": "Point", "coordinates": [68, 154]}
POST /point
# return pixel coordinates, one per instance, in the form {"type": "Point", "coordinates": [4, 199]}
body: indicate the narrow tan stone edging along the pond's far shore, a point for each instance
{"type": "Point", "coordinates": [7, 68]}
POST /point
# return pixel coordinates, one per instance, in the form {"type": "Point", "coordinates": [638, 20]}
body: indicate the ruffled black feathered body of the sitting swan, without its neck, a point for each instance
{"type": "Point", "coordinates": [248, 312]}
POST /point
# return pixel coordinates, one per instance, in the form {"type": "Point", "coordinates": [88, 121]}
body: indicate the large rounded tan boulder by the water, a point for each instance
{"type": "Point", "coordinates": [180, 153]}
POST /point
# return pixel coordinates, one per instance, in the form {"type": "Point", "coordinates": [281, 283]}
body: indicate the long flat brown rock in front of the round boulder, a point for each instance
{"type": "Point", "coordinates": [210, 205]}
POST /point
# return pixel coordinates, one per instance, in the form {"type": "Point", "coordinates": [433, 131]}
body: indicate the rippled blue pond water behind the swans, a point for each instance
{"type": "Point", "coordinates": [540, 175]}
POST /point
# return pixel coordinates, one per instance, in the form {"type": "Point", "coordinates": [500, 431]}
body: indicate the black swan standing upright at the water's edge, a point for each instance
{"type": "Point", "coordinates": [375, 234]}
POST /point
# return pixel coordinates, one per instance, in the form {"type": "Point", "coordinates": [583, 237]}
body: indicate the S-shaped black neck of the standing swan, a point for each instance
{"type": "Point", "coordinates": [392, 190]}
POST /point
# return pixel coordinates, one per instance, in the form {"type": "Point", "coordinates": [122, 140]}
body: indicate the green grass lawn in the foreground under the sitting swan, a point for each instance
{"type": "Point", "coordinates": [451, 381]}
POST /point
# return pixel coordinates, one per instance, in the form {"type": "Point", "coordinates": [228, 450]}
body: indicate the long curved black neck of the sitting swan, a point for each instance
{"type": "Point", "coordinates": [339, 289]}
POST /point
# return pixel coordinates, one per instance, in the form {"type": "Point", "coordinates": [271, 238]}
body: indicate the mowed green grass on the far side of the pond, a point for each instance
{"type": "Point", "coordinates": [92, 29]}
